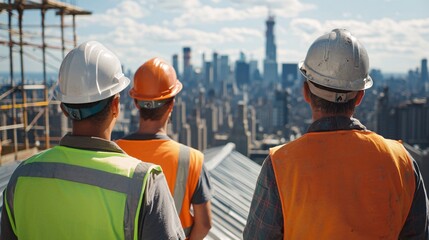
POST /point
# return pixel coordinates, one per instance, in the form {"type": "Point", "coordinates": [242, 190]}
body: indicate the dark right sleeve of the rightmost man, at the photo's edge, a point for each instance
{"type": "Point", "coordinates": [416, 225]}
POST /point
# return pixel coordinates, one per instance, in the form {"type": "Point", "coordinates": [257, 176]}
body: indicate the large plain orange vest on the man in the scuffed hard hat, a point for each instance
{"type": "Point", "coordinates": [343, 185]}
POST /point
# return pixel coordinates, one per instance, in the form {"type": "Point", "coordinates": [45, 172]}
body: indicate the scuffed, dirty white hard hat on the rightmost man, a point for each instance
{"type": "Point", "coordinates": [337, 60]}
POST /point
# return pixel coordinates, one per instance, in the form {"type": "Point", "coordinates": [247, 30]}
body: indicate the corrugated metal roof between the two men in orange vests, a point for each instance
{"type": "Point", "coordinates": [233, 177]}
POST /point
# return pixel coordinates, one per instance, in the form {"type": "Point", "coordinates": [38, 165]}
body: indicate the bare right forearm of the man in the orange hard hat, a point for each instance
{"type": "Point", "coordinates": [202, 221]}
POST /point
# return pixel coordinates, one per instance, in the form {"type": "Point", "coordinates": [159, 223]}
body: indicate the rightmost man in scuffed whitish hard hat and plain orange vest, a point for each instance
{"type": "Point", "coordinates": [339, 180]}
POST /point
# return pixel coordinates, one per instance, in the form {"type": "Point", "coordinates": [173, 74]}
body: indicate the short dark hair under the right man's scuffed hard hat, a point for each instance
{"type": "Point", "coordinates": [332, 107]}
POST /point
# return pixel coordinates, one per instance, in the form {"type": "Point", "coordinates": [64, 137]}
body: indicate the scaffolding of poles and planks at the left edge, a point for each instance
{"type": "Point", "coordinates": [16, 98]}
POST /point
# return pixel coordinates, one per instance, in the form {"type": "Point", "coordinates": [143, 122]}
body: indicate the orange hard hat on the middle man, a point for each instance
{"type": "Point", "coordinates": [155, 80]}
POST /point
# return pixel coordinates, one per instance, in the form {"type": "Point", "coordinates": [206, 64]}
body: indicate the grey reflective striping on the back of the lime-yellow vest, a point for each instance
{"type": "Point", "coordinates": [132, 187]}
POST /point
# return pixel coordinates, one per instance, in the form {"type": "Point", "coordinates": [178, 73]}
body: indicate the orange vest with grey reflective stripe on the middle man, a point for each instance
{"type": "Point", "coordinates": [180, 164]}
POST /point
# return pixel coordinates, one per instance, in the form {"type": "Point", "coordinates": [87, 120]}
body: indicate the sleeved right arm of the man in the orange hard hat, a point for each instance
{"type": "Point", "coordinates": [202, 207]}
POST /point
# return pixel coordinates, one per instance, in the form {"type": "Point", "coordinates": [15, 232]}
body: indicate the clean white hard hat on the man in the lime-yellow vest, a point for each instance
{"type": "Point", "coordinates": [89, 73]}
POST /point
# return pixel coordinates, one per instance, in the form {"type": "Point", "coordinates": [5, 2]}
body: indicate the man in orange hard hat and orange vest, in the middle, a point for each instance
{"type": "Point", "coordinates": [154, 89]}
